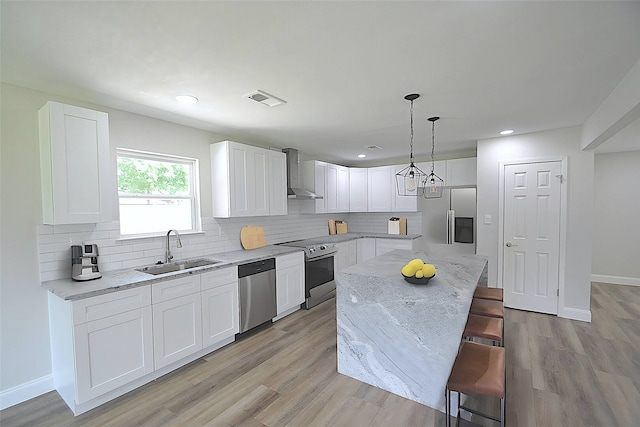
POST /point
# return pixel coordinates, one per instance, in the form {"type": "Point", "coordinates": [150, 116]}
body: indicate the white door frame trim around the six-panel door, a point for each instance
{"type": "Point", "coordinates": [563, 220]}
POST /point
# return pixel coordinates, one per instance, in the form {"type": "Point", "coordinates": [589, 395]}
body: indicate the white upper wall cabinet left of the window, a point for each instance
{"type": "Point", "coordinates": [74, 165]}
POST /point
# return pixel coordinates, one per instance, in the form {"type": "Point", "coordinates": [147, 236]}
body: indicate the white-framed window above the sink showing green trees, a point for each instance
{"type": "Point", "coordinates": [157, 193]}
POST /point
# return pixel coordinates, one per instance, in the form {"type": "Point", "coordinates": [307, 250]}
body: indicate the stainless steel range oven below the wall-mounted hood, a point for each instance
{"type": "Point", "coordinates": [318, 266]}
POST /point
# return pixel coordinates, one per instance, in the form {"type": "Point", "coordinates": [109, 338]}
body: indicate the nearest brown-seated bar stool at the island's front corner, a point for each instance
{"type": "Point", "coordinates": [478, 369]}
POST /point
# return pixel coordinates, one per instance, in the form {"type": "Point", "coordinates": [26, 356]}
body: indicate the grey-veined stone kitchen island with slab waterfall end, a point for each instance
{"type": "Point", "coordinates": [400, 337]}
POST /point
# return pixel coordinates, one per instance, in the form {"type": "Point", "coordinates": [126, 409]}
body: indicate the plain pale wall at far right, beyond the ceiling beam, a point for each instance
{"type": "Point", "coordinates": [616, 230]}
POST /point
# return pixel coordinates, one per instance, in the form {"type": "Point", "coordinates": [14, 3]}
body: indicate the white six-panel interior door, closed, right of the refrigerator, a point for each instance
{"type": "Point", "coordinates": [532, 236]}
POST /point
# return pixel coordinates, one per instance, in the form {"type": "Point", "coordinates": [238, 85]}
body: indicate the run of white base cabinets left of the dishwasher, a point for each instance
{"type": "Point", "coordinates": [105, 346]}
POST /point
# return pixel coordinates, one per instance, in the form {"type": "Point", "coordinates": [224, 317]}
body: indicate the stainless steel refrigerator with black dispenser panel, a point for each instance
{"type": "Point", "coordinates": [450, 222]}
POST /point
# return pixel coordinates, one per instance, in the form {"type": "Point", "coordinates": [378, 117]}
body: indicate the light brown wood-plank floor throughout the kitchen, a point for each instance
{"type": "Point", "coordinates": [559, 373]}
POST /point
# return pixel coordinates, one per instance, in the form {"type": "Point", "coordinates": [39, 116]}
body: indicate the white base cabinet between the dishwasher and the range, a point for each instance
{"type": "Point", "coordinates": [290, 283]}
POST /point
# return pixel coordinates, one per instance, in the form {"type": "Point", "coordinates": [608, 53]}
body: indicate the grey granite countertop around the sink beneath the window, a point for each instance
{"type": "Point", "coordinates": [114, 281]}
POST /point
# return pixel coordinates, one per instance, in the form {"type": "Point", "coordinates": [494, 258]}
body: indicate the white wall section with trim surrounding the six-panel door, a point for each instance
{"type": "Point", "coordinates": [575, 297]}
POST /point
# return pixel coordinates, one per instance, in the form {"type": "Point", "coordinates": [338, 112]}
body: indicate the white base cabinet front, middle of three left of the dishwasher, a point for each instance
{"type": "Point", "coordinates": [177, 319]}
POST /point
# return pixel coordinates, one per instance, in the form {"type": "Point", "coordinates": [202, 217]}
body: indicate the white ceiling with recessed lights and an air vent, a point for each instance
{"type": "Point", "coordinates": [342, 67]}
